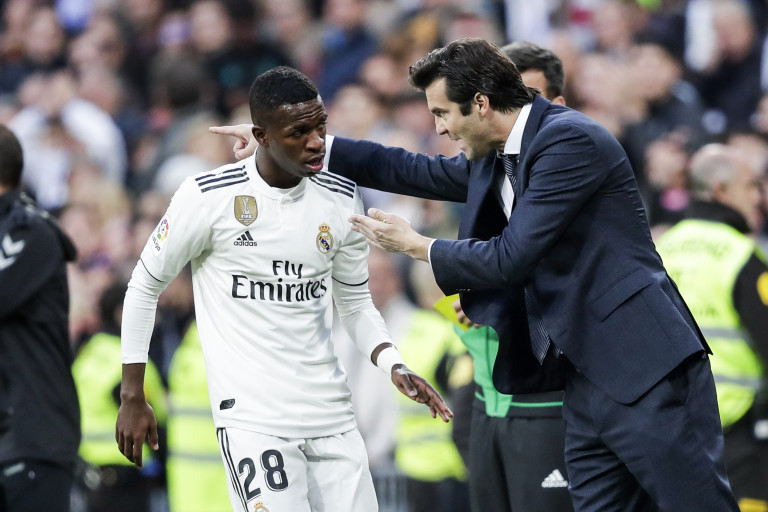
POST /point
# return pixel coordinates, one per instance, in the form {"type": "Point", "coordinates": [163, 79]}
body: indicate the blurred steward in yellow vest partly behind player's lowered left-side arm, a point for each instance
{"type": "Point", "coordinates": [97, 372]}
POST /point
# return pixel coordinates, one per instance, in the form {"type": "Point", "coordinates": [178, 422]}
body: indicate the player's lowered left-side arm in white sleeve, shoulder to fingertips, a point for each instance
{"type": "Point", "coordinates": [181, 235]}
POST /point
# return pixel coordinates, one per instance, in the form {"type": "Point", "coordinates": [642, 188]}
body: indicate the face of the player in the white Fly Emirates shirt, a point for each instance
{"type": "Point", "coordinates": [295, 138]}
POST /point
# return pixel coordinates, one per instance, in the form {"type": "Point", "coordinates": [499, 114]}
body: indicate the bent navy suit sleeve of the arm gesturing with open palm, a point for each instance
{"type": "Point", "coordinates": [564, 174]}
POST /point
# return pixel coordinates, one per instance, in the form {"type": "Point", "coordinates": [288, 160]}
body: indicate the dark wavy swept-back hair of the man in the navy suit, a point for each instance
{"type": "Point", "coordinates": [472, 66]}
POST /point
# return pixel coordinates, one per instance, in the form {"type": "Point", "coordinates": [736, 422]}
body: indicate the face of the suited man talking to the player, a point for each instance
{"type": "Point", "coordinates": [476, 142]}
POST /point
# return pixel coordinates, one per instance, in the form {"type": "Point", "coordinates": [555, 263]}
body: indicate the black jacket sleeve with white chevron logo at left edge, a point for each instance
{"type": "Point", "coordinates": [29, 256]}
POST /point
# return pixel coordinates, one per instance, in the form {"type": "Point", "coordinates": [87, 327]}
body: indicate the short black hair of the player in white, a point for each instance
{"type": "Point", "coordinates": [278, 86]}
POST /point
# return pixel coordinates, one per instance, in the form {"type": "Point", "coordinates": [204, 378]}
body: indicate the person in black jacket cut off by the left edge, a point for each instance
{"type": "Point", "coordinates": [39, 412]}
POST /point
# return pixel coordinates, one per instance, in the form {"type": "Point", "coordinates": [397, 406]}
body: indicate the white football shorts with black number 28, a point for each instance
{"type": "Point", "coordinates": [276, 474]}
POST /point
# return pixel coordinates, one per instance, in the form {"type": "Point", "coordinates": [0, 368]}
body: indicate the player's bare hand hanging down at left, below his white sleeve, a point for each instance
{"type": "Point", "coordinates": [135, 423]}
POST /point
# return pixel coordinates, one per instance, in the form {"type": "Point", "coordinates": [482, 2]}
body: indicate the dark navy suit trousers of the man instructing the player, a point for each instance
{"type": "Point", "coordinates": [662, 452]}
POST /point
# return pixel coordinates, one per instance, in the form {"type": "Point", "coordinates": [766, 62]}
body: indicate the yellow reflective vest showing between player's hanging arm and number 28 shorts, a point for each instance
{"type": "Point", "coordinates": [197, 481]}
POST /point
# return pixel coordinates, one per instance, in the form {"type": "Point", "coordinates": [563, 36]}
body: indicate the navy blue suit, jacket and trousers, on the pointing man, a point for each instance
{"type": "Point", "coordinates": [578, 241]}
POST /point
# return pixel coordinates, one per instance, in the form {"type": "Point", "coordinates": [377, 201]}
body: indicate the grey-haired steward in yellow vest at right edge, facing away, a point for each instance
{"type": "Point", "coordinates": [723, 278]}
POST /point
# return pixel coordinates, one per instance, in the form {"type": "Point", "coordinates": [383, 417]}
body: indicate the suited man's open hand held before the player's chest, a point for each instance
{"type": "Point", "coordinates": [392, 233]}
